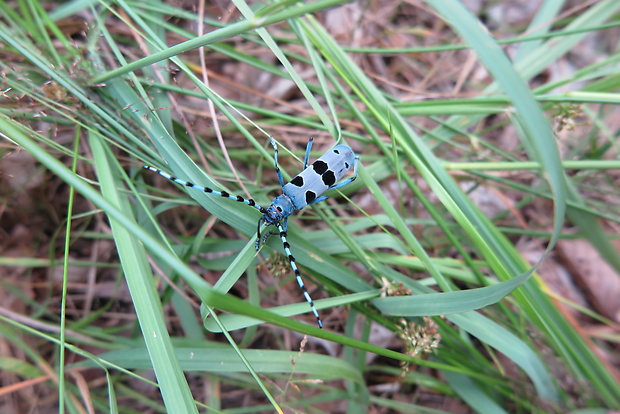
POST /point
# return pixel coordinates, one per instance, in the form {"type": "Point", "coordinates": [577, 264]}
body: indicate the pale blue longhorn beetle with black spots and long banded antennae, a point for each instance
{"type": "Point", "coordinates": [306, 188]}
